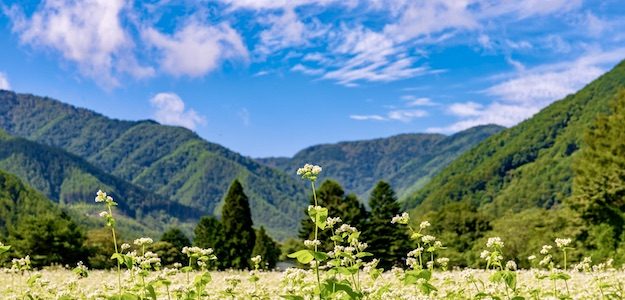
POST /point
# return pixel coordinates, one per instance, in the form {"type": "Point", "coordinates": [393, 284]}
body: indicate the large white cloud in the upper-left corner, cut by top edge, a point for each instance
{"type": "Point", "coordinates": [88, 33]}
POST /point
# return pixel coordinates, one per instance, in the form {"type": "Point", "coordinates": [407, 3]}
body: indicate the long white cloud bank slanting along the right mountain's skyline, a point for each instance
{"type": "Point", "coordinates": [527, 92]}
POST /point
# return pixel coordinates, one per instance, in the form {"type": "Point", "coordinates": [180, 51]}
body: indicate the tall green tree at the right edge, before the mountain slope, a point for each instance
{"type": "Point", "coordinates": [599, 182]}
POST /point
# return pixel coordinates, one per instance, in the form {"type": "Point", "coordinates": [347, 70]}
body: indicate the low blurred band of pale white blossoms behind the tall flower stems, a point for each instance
{"type": "Point", "coordinates": [467, 284]}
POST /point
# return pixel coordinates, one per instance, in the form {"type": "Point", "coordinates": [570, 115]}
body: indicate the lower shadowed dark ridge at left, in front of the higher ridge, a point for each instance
{"type": "Point", "coordinates": [69, 180]}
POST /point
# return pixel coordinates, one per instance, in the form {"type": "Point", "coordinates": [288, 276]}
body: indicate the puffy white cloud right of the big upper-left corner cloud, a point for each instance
{"type": "Point", "coordinates": [196, 49]}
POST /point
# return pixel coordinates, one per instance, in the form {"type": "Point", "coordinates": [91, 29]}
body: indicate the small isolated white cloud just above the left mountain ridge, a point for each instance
{"type": "Point", "coordinates": [170, 110]}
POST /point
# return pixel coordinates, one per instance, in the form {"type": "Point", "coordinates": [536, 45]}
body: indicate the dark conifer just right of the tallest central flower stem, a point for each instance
{"type": "Point", "coordinates": [388, 242]}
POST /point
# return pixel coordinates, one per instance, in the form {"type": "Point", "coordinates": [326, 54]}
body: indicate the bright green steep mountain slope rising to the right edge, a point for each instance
{"type": "Point", "coordinates": [520, 174]}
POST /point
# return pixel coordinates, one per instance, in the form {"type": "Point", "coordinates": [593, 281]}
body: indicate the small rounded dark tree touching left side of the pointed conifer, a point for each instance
{"type": "Point", "coordinates": [209, 234]}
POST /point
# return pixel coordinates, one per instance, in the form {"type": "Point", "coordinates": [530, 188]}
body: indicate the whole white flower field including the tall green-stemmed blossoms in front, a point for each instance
{"type": "Point", "coordinates": [346, 272]}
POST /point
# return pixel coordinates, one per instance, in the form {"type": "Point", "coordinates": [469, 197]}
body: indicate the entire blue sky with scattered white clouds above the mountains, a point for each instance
{"type": "Point", "coordinates": [268, 78]}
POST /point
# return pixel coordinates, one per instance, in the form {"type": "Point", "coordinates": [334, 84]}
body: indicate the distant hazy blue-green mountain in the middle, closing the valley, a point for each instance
{"type": "Point", "coordinates": [407, 161]}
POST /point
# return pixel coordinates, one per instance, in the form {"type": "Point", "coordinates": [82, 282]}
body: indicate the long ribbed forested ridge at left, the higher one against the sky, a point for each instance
{"type": "Point", "coordinates": [172, 162]}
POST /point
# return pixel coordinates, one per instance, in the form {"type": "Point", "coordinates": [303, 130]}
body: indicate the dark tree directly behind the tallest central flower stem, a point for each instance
{"type": "Point", "coordinates": [332, 196]}
